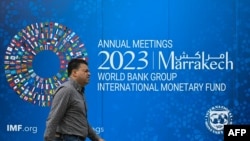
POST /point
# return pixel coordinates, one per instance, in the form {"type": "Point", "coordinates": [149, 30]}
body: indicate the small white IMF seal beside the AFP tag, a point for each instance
{"type": "Point", "coordinates": [216, 118]}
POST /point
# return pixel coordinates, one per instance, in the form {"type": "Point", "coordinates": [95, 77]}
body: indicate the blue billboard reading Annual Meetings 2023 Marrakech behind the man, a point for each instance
{"type": "Point", "coordinates": [160, 70]}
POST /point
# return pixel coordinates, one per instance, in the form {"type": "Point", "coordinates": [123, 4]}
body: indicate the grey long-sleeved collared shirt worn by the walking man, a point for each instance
{"type": "Point", "coordinates": [68, 113]}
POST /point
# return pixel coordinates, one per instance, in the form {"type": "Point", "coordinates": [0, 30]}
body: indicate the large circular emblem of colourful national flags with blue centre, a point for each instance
{"type": "Point", "coordinates": [36, 60]}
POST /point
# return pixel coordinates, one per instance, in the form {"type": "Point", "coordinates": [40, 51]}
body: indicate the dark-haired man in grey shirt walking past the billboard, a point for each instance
{"type": "Point", "coordinates": [67, 120]}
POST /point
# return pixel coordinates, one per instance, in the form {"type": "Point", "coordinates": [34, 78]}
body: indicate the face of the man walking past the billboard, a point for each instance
{"type": "Point", "coordinates": [82, 74]}
